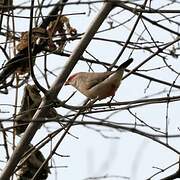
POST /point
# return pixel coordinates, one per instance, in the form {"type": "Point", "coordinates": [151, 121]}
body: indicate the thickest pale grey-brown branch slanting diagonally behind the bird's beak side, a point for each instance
{"type": "Point", "coordinates": [53, 92]}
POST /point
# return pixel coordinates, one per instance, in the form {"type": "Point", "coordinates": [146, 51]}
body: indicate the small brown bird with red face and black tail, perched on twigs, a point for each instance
{"type": "Point", "coordinates": [98, 85]}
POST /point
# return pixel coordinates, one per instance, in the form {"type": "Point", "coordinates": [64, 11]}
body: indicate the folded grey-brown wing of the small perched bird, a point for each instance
{"type": "Point", "coordinates": [92, 79]}
